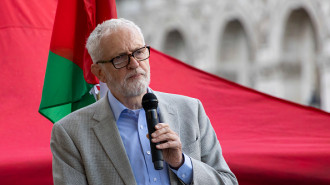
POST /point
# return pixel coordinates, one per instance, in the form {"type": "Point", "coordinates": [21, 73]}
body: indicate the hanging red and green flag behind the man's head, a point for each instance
{"type": "Point", "coordinates": [68, 78]}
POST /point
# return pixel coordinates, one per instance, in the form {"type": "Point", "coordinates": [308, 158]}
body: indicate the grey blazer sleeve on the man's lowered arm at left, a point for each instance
{"type": "Point", "coordinates": [67, 164]}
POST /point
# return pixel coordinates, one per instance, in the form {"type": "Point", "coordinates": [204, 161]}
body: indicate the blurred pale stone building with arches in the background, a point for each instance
{"type": "Point", "coordinates": [280, 47]}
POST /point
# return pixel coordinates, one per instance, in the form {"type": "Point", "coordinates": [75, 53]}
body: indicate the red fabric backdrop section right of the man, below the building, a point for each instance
{"type": "Point", "coordinates": [265, 140]}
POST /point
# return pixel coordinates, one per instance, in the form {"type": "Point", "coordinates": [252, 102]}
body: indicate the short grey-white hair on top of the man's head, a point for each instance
{"type": "Point", "coordinates": [107, 27]}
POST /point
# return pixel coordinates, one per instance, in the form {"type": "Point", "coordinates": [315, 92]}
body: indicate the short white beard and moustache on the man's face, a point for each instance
{"type": "Point", "coordinates": [130, 87]}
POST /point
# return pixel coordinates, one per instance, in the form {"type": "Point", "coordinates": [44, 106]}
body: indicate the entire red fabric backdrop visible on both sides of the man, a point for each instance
{"type": "Point", "coordinates": [265, 140]}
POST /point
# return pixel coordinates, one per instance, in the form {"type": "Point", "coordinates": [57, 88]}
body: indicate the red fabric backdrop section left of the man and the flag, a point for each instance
{"type": "Point", "coordinates": [25, 32]}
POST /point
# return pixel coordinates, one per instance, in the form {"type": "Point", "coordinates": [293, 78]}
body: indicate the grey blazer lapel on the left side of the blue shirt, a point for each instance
{"type": "Point", "coordinates": [108, 135]}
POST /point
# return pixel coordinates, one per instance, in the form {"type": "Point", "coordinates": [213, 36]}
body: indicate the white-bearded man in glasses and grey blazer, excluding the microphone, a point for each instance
{"type": "Point", "coordinates": [106, 142]}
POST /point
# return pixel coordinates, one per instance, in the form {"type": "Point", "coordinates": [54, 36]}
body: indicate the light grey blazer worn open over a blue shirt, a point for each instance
{"type": "Point", "coordinates": [87, 147]}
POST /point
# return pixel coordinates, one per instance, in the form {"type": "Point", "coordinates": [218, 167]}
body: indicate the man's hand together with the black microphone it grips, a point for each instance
{"type": "Point", "coordinates": [165, 144]}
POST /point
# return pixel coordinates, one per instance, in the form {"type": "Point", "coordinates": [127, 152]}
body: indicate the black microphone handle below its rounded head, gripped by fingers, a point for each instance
{"type": "Point", "coordinates": [157, 155]}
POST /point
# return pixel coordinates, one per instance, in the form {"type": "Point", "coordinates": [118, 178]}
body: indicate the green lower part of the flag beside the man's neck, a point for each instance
{"type": "Point", "coordinates": [65, 89]}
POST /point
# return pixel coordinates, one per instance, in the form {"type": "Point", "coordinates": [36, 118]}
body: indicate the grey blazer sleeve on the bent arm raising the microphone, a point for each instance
{"type": "Point", "coordinates": [212, 167]}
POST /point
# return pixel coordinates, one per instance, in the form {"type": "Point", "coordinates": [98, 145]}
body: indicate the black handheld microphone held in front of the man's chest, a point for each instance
{"type": "Point", "coordinates": [150, 104]}
